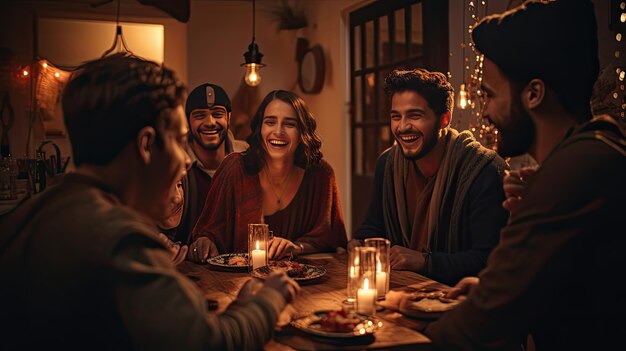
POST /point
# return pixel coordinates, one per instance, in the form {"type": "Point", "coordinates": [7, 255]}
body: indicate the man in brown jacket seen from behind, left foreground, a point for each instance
{"type": "Point", "coordinates": [82, 265]}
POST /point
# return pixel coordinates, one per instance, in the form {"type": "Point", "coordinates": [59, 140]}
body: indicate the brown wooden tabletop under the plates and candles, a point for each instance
{"type": "Point", "coordinates": [398, 332]}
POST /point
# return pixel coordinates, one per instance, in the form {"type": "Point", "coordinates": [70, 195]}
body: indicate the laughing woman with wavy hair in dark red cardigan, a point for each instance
{"type": "Point", "coordinates": [281, 180]}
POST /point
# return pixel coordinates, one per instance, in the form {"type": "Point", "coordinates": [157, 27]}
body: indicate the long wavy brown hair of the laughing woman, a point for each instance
{"type": "Point", "coordinates": [308, 151]}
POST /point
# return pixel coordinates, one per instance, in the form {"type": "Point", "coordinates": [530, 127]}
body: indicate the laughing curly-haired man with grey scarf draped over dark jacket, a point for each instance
{"type": "Point", "coordinates": [438, 192]}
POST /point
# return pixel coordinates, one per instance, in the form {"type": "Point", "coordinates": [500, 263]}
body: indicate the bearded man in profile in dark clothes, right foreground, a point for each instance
{"type": "Point", "coordinates": [563, 241]}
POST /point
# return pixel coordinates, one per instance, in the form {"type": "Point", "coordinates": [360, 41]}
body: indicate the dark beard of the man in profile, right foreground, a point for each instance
{"type": "Point", "coordinates": [516, 138]}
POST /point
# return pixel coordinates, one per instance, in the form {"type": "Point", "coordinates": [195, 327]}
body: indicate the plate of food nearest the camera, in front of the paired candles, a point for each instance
{"type": "Point", "coordinates": [337, 324]}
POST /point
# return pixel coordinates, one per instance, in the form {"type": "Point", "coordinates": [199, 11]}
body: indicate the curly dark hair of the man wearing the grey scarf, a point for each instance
{"type": "Point", "coordinates": [433, 86]}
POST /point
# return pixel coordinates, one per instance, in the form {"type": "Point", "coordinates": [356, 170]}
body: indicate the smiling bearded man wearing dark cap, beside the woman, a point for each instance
{"type": "Point", "coordinates": [208, 112]}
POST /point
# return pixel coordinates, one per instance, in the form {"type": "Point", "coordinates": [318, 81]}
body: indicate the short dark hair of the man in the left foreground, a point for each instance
{"type": "Point", "coordinates": [107, 101]}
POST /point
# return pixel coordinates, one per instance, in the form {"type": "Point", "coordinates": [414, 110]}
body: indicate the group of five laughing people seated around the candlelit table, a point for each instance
{"type": "Point", "coordinates": [83, 264]}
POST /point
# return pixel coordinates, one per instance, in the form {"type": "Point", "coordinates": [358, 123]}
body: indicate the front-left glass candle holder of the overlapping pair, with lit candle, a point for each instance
{"type": "Point", "coordinates": [366, 293]}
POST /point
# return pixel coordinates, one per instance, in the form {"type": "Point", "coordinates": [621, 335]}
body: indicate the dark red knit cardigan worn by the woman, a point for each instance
{"type": "Point", "coordinates": [314, 216]}
